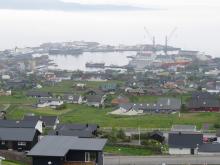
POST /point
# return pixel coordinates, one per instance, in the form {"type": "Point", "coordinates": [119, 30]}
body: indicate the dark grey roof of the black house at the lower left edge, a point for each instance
{"type": "Point", "coordinates": [17, 134]}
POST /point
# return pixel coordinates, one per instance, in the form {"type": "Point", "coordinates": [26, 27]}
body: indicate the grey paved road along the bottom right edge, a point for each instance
{"type": "Point", "coordinates": [159, 160]}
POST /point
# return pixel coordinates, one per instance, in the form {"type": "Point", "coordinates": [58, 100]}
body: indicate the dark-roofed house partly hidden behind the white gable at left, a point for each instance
{"type": "Point", "coordinates": [48, 121]}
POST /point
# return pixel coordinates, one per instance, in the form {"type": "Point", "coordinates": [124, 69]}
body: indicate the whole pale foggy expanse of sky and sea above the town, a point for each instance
{"type": "Point", "coordinates": [32, 22]}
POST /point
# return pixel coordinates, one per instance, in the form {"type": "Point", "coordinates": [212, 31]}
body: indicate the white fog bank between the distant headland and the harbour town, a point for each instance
{"type": "Point", "coordinates": [197, 29]}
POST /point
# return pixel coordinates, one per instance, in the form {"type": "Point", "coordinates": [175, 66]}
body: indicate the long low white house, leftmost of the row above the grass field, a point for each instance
{"type": "Point", "coordinates": [49, 102]}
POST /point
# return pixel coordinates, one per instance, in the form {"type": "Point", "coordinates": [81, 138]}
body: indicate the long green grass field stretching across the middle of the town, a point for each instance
{"type": "Point", "coordinates": [85, 114]}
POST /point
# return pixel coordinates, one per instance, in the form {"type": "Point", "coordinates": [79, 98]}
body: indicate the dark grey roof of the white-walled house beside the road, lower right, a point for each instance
{"type": "Point", "coordinates": [184, 139]}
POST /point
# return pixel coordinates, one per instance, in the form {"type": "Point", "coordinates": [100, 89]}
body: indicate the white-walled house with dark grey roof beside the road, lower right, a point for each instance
{"type": "Point", "coordinates": [184, 143]}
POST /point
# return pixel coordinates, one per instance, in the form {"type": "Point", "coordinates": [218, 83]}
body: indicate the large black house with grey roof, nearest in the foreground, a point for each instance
{"type": "Point", "coordinates": [66, 150]}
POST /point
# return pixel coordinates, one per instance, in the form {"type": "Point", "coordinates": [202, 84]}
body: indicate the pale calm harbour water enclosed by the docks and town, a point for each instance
{"type": "Point", "coordinates": [77, 62]}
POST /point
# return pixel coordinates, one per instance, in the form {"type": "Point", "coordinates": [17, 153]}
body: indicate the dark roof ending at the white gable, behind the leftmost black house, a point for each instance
{"type": "Point", "coordinates": [17, 124]}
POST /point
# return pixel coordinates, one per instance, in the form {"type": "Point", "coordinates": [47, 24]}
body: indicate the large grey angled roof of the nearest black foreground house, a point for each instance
{"type": "Point", "coordinates": [58, 146]}
